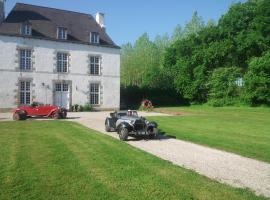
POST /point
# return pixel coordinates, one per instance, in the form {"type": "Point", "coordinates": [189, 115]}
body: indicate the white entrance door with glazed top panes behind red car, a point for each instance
{"type": "Point", "coordinates": [62, 95]}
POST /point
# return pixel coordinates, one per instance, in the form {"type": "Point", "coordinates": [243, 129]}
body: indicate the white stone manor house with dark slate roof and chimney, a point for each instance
{"type": "Point", "coordinates": [57, 57]}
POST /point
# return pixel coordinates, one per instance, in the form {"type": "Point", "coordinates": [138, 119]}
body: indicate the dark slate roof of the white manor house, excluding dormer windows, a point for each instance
{"type": "Point", "coordinates": [45, 22]}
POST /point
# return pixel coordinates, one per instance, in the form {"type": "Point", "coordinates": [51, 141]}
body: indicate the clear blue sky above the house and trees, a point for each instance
{"type": "Point", "coordinates": [126, 20]}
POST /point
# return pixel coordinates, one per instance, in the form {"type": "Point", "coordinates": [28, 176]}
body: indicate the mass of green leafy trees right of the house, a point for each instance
{"type": "Point", "coordinates": [201, 60]}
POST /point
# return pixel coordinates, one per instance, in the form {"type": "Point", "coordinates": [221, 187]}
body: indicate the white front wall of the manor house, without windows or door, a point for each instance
{"type": "Point", "coordinates": [43, 76]}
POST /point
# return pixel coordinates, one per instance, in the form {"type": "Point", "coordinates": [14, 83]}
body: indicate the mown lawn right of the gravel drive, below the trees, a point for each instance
{"type": "Point", "coordinates": [243, 130]}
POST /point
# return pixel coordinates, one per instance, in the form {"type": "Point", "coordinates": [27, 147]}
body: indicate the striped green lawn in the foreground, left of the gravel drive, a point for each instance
{"type": "Point", "coordinates": [63, 160]}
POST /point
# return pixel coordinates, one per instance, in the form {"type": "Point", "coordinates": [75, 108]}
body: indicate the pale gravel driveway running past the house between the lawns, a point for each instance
{"type": "Point", "coordinates": [224, 167]}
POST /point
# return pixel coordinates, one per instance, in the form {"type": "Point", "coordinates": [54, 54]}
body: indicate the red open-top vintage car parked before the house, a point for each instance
{"type": "Point", "coordinates": [39, 110]}
